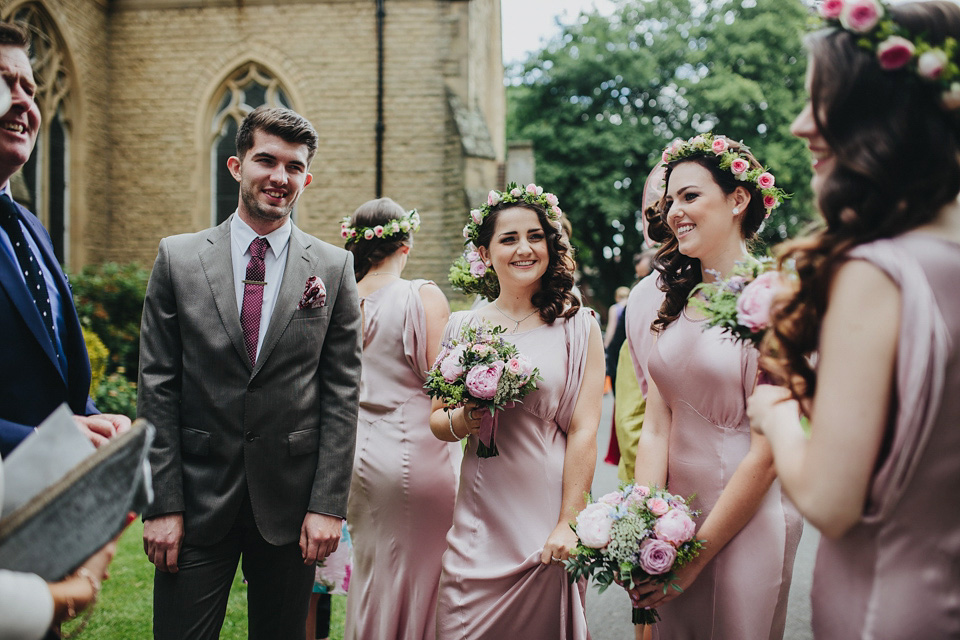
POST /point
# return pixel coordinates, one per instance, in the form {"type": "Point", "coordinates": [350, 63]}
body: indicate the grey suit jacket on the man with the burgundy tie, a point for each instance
{"type": "Point", "coordinates": [282, 429]}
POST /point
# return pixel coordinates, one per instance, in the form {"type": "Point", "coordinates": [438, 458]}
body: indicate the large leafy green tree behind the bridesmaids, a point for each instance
{"type": "Point", "coordinates": [601, 102]}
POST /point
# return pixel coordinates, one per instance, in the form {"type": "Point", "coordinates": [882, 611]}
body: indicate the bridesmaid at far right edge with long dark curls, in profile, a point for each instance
{"type": "Point", "coordinates": [877, 301]}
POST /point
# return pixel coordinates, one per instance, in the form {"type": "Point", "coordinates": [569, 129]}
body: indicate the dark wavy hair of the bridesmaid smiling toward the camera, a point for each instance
{"type": "Point", "coordinates": [555, 298]}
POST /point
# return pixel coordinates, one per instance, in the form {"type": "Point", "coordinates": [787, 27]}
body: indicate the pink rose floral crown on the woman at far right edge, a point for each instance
{"type": "Point", "coordinates": [895, 47]}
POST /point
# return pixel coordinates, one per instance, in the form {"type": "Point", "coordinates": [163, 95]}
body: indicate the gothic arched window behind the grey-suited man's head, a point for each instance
{"type": "Point", "coordinates": [247, 88]}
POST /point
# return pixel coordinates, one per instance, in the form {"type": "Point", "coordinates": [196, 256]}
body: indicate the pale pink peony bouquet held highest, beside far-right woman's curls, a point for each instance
{"type": "Point", "coordinates": [740, 305]}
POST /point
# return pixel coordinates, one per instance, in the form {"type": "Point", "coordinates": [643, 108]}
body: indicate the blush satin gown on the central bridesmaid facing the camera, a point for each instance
{"type": "Point", "coordinates": [493, 584]}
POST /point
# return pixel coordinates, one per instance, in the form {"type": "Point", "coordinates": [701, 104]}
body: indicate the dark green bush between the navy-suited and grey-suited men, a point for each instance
{"type": "Point", "coordinates": [109, 299]}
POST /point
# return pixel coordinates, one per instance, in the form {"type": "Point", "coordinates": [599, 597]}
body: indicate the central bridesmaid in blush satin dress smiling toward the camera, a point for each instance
{"type": "Point", "coordinates": [502, 574]}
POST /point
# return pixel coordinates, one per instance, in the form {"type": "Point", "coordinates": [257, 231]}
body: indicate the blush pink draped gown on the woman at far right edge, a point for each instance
{"type": "Point", "coordinates": [896, 574]}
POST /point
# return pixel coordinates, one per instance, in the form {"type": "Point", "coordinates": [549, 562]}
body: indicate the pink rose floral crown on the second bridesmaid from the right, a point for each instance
{"type": "Point", "coordinates": [732, 159]}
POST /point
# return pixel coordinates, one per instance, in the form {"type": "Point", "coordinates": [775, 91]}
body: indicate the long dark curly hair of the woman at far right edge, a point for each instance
{"type": "Point", "coordinates": [896, 152]}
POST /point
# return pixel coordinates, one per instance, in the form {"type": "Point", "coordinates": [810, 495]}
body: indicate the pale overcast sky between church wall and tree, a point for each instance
{"type": "Point", "coordinates": [528, 24]}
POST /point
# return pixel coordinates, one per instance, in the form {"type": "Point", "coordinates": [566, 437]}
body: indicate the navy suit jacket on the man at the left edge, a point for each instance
{"type": "Point", "coordinates": [32, 383]}
